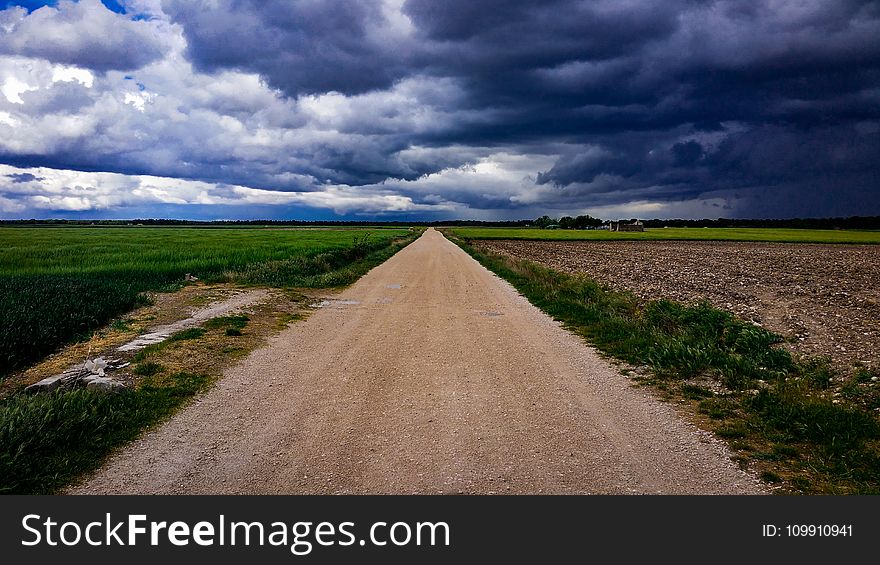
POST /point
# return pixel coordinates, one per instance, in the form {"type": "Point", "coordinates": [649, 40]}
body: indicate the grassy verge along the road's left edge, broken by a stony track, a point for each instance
{"type": "Point", "coordinates": [48, 440]}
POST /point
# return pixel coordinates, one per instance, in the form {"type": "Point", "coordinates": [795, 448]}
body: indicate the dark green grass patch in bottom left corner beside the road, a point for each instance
{"type": "Point", "coordinates": [47, 440]}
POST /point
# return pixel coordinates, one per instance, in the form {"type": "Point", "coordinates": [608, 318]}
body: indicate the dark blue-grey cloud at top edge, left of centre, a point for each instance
{"type": "Point", "coordinates": [301, 47]}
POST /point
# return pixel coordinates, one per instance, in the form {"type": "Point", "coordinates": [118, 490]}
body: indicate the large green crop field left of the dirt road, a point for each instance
{"type": "Point", "coordinates": [59, 284]}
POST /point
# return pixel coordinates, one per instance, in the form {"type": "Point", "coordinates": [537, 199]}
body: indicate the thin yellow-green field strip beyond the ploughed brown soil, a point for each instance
{"type": "Point", "coordinates": [686, 234]}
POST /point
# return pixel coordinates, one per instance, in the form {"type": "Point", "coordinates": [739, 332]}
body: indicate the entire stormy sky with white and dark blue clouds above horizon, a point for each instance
{"type": "Point", "coordinates": [432, 109]}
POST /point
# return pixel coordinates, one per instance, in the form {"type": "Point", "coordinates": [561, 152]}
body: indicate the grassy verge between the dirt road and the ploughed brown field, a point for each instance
{"type": "Point", "coordinates": [778, 413]}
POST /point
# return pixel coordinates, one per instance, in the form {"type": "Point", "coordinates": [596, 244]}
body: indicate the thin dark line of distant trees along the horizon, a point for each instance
{"type": "Point", "coordinates": [565, 222]}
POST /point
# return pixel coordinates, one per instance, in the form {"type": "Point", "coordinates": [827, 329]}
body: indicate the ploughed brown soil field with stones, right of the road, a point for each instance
{"type": "Point", "coordinates": [823, 299]}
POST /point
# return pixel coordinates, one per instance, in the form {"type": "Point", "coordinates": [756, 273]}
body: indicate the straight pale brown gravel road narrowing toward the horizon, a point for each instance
{"type": "Point", "coordinates": [429, 375]}
